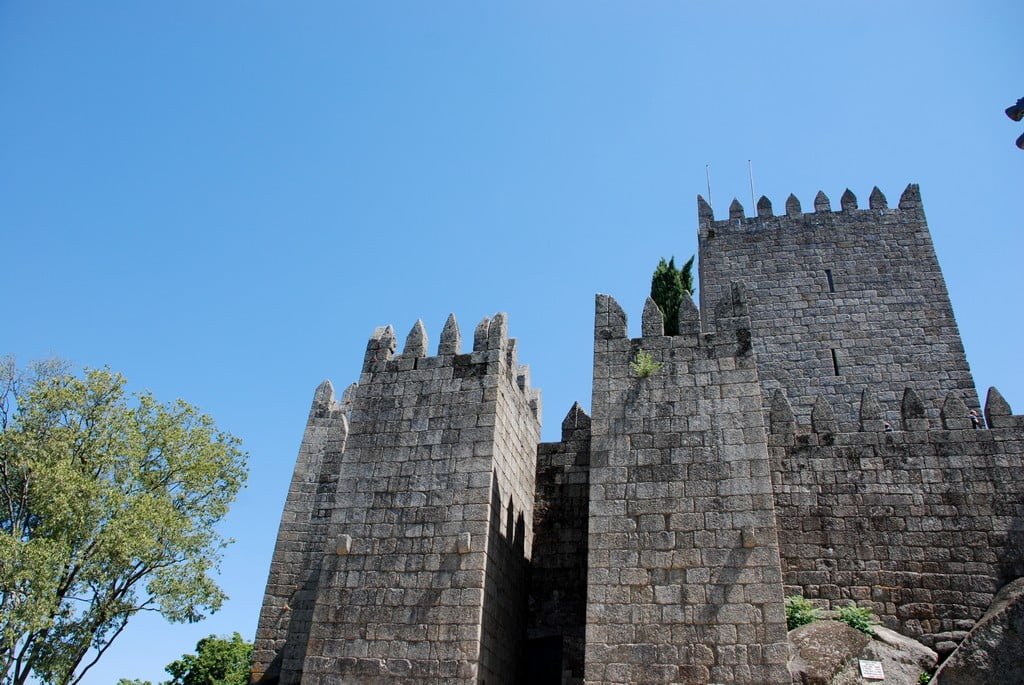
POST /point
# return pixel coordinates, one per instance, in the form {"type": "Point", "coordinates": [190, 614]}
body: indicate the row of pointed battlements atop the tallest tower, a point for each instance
{"type": "Point", "coordinates": [764, 219]}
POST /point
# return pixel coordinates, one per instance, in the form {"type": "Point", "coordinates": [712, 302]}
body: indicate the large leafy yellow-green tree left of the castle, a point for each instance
{"type": "Point", "coordinates": [108, 507]}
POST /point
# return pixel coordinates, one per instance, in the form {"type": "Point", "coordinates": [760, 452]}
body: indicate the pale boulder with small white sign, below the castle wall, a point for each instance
{"type": "Point", "coordinates": [829, 653]}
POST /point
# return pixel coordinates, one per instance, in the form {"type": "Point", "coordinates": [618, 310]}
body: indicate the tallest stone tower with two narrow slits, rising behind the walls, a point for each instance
{"type": "Point", "coordinates": [840, 302]}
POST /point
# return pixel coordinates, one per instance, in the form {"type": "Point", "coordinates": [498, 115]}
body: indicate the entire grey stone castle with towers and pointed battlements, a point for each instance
{"type": "Point", "coordinates": [808, 431]}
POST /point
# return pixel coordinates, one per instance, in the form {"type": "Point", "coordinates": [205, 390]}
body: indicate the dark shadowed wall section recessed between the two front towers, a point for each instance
{"type": "Point", "coordinates": [559, 575]}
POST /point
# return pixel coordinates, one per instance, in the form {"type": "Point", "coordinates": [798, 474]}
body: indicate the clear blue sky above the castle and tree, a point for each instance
{"type": "Point", "coordinates": [223, 200]}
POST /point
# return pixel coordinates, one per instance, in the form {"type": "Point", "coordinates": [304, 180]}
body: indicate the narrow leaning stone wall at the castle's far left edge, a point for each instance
{"type": "Point", "coordinates": [287, 612]}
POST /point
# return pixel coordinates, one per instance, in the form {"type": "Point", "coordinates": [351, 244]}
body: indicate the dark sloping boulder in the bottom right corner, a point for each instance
{"type": "Point", "coordinates": [994, 652]}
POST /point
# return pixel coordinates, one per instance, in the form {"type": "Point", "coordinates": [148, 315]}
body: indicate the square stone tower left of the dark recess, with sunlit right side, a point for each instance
{"type": "Point", "coordinates": [413, 567]}
